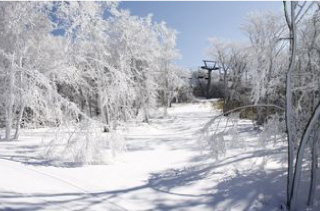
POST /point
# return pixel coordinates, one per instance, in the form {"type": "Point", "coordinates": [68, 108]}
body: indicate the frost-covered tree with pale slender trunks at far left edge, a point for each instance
{"type": "Point", "coordinates": [22, 24]}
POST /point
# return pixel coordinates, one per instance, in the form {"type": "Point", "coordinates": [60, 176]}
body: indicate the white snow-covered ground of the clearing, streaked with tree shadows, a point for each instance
{"type": "Point", "coordinates": [163, 169]}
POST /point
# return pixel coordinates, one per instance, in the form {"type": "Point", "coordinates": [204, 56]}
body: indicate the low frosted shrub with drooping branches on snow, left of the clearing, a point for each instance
{"type": "Point", "coordinates": [84, 144]}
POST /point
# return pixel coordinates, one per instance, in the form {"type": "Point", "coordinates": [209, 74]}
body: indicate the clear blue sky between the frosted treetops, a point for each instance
{"type": "Point", "coordinates": [197, 21]}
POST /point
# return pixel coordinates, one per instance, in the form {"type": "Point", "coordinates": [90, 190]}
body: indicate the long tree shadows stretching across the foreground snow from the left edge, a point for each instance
{"type": "Point", "coordinates": [249, 190]}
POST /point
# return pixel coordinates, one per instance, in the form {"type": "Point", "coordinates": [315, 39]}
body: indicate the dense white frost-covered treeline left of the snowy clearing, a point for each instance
{"type": "Point", "coordinates": [69, 61]}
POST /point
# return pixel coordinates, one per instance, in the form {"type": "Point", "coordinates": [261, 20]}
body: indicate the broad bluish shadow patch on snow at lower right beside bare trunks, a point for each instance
{"type": "Point", "coordinates": [254, 190]}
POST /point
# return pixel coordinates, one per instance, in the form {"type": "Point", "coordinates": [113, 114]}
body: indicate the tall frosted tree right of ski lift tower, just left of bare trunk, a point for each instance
{"type": "Point", "coordinates": [265, 31]}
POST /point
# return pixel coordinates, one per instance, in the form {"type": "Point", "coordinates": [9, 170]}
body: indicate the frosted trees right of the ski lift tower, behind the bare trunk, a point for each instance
{"type": "Point", "coordinates": [255, 71]}
